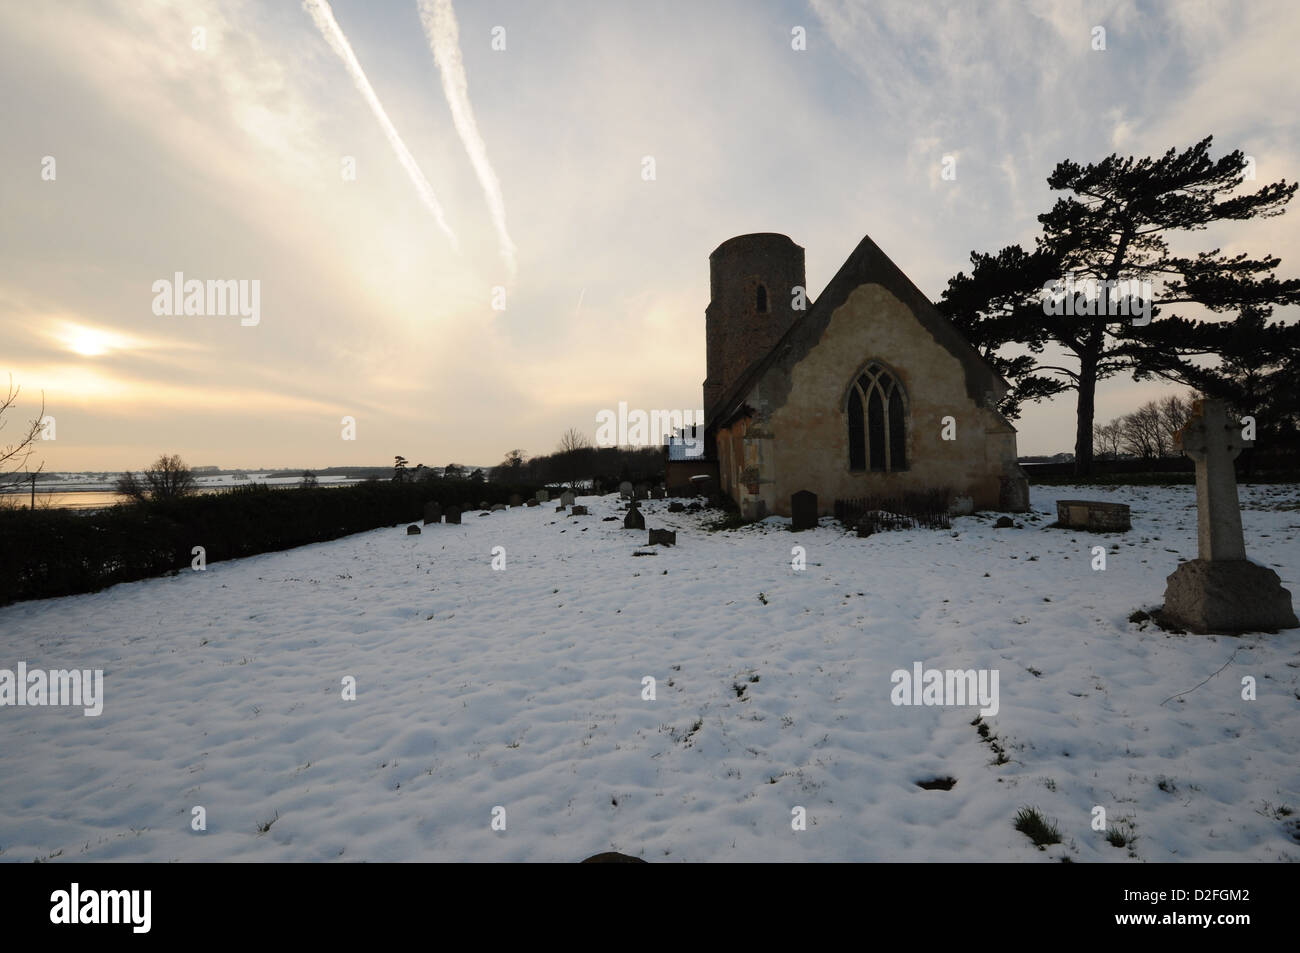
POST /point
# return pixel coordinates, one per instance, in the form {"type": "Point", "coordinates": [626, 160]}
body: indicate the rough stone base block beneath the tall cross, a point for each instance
{"type": "Point", "coordinates": [1228, 596]}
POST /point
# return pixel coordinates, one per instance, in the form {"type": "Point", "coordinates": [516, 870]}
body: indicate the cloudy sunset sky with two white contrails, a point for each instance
{"type": "Point", "coordinates": [448, 213]}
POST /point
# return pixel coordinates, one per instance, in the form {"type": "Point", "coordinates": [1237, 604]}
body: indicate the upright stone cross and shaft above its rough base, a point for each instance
{"type": "Point", "coordinates": [1214, 441]}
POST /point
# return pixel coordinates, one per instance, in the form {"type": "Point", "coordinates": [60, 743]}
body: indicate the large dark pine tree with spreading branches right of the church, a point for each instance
{"type": "Point", "coordinates": [1113, 228]}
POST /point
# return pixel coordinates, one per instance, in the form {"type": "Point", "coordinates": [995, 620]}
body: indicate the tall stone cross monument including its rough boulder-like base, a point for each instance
{"type": "Point", "coordinates": [1221, 591]}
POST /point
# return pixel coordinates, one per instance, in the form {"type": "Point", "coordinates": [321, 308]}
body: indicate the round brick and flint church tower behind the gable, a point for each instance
{"type": "Point", "coordinates": [752, 296]}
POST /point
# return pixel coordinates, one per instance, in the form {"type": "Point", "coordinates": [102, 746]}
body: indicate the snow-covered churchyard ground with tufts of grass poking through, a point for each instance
{"type": "Point", "coordinates": [523, 690]}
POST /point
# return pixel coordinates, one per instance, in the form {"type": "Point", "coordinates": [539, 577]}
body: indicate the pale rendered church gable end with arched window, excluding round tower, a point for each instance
{"type": "Point", "coordinates": [872, 393]}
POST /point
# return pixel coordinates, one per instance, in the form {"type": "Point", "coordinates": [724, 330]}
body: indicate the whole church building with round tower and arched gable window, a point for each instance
{"type": "Point", "coordinates": [866, 393]}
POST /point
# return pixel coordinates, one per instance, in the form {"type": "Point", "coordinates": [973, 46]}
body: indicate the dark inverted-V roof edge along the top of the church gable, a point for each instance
{"type": "Point", "coordinates": [866, 266]}
